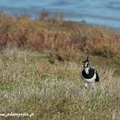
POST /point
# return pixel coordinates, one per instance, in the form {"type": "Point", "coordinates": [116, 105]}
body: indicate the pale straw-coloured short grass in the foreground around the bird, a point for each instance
{"type": "Point", "coordinates": [29, 83]}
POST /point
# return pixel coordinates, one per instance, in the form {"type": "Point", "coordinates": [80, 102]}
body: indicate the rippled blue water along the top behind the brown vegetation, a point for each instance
{"type": "Point", "coordinates": [95, 12]}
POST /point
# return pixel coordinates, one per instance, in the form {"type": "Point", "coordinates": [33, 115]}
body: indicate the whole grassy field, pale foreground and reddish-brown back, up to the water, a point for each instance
{"type": "Point", "coordinates": [40, 69]}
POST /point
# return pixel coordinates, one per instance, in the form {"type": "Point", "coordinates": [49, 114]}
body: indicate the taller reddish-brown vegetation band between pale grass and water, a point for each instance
{"type": "Point", "coordinates": [61, 40]}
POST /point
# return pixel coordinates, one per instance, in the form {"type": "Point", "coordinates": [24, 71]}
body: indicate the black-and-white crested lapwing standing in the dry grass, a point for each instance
{"type": "Point", "coordinates": [89, 74]}
